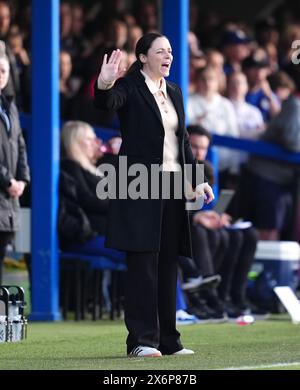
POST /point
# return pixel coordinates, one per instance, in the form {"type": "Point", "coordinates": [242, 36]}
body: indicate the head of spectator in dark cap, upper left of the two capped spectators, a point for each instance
{"type": "Point", "coordinates": [235, 47]}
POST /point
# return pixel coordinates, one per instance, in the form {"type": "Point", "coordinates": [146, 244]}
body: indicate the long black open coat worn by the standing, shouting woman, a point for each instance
{"type": "Point", "coordinates": [135, 225]}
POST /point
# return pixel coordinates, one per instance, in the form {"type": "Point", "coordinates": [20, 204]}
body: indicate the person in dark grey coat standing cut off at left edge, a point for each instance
{"type": "Point", "coordinates": [14, 170]}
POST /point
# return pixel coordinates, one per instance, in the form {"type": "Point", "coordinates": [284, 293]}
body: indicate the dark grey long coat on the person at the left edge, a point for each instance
{"type": "Point", "coordinates": [13, 164]}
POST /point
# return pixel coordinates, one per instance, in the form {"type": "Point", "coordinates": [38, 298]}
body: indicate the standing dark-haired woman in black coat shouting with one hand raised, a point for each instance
{"type": "Point", "coordinates": [150, 230]}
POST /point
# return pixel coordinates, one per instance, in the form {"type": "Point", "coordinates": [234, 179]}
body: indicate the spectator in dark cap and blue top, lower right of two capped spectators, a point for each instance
{"type": "Point", "coordinates": [260, 94]}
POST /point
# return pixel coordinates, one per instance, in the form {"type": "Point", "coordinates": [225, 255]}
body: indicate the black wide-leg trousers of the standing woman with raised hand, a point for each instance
{"type": "Point", "coordinates": [150, 296]}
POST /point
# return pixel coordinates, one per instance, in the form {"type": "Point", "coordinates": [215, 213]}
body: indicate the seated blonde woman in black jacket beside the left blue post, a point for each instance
{"type": "Point", "coordinates": [81, 211]}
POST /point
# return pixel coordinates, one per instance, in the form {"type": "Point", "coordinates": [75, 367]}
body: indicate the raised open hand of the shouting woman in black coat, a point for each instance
{"type": "Point", "coordinates": [110, 71]}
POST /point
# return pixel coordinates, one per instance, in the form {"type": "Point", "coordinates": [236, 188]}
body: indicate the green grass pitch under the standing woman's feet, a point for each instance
{"type": "Point", "coordinates": [271, 344]}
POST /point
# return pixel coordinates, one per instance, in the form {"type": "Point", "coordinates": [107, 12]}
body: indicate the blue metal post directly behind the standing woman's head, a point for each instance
{"type": "Point", "coordinates": [175, 25]}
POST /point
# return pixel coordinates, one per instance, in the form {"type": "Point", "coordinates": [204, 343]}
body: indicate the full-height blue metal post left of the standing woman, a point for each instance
{"type": "Point", "coordinates": [45, 159]}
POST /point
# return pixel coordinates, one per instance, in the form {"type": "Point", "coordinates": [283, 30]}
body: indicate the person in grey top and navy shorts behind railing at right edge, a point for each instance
{"type": "Point", "coordinates": [270, 184]}
